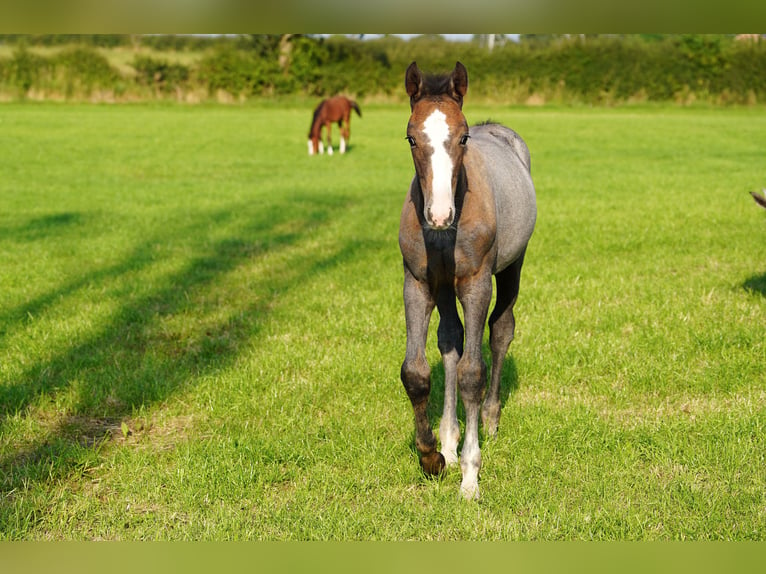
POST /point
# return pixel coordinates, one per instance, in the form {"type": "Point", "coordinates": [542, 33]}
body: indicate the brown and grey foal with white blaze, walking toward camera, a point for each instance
{"type": "Point", "coordinates": [468, 215]}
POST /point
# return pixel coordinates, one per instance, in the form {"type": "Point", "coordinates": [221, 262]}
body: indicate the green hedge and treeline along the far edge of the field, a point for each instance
{"type": "Point", "coordinates": [721, 69]}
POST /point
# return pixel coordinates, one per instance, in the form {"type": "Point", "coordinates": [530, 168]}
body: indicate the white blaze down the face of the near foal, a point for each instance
{"type": "Point", "coordinates": [437, 130]}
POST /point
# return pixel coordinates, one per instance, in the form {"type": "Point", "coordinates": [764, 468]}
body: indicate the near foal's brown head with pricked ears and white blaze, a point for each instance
{"type": "Point", "coordinates": [437, 133]}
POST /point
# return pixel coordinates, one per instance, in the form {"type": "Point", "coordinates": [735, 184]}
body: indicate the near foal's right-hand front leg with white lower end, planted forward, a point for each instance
{"type": "Point", "coordinates": [474, 293]}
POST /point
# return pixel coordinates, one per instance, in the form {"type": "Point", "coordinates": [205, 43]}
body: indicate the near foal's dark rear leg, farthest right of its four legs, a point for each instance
{"type": "Point", "coordinates": [501, 328]}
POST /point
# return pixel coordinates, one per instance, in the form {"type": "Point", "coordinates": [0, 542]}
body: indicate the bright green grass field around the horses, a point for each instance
{"type": "Point", "coordinates": [201, 330]}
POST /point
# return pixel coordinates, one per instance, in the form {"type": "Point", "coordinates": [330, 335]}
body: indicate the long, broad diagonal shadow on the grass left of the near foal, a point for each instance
{"type": "Point", "coordinates": [136, 360]}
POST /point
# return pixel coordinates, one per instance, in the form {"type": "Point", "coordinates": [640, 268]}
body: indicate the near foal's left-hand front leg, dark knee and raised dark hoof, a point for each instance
{"type": "Point", "coordinates": [416, 373]}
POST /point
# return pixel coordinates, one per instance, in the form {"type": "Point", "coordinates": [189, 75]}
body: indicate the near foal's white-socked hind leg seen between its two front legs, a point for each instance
{"type": "Point", "coordinates": [450, 335]}
